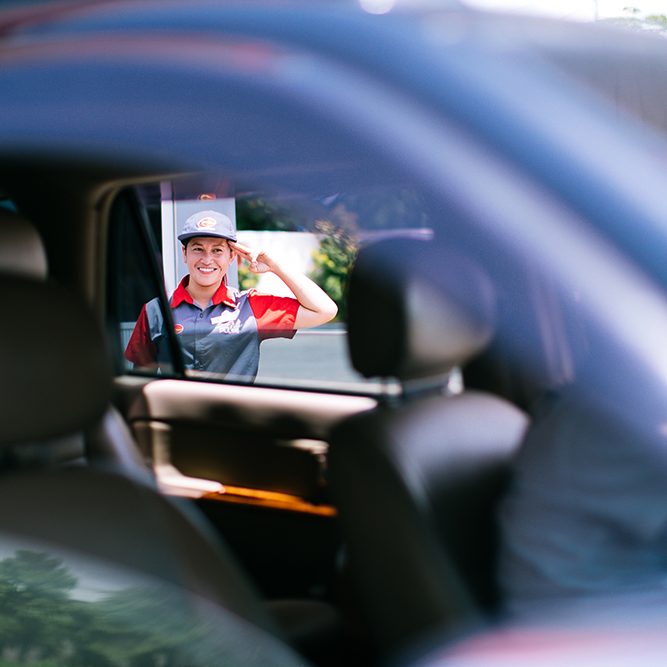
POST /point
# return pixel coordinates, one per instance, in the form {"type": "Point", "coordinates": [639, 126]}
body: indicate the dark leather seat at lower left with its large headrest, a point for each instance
{"type": "Point", "coordinates": [56, 383]}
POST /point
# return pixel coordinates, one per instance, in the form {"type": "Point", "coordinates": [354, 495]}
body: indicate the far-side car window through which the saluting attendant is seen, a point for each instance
{"type": "Point", "coordinates": [298, 247]}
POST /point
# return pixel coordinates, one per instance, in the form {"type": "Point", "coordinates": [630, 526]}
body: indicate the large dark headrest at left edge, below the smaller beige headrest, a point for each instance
{"type": "Point", "coordinates": [56, 375]}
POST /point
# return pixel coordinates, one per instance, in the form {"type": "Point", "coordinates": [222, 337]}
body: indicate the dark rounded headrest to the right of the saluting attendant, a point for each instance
{"type": "Point", "coordinates": [416, 310]}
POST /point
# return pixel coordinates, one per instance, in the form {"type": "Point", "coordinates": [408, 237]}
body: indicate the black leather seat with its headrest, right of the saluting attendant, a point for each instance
{"type": "Point", "coordinates": [417, 480]}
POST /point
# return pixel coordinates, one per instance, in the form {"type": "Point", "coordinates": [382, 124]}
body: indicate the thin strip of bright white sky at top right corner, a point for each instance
{"type": "Point", "coordinates": [582, 10]}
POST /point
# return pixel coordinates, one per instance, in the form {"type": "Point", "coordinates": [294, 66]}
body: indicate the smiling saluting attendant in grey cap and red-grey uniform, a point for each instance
{"type": "Point", "coordinates": [220, 328]}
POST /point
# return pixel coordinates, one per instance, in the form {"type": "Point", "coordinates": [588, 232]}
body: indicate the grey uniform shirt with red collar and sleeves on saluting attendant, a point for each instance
{"type": "Point", "coordinates": [224, 337]}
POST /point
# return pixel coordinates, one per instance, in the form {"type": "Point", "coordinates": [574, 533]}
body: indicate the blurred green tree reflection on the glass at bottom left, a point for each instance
{"type": "Point", "coordinates": [43, 625]}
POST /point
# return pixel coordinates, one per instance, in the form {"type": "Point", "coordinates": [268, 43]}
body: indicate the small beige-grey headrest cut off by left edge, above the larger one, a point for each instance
{"type": "Point", "coordinates": [21, 249]}
